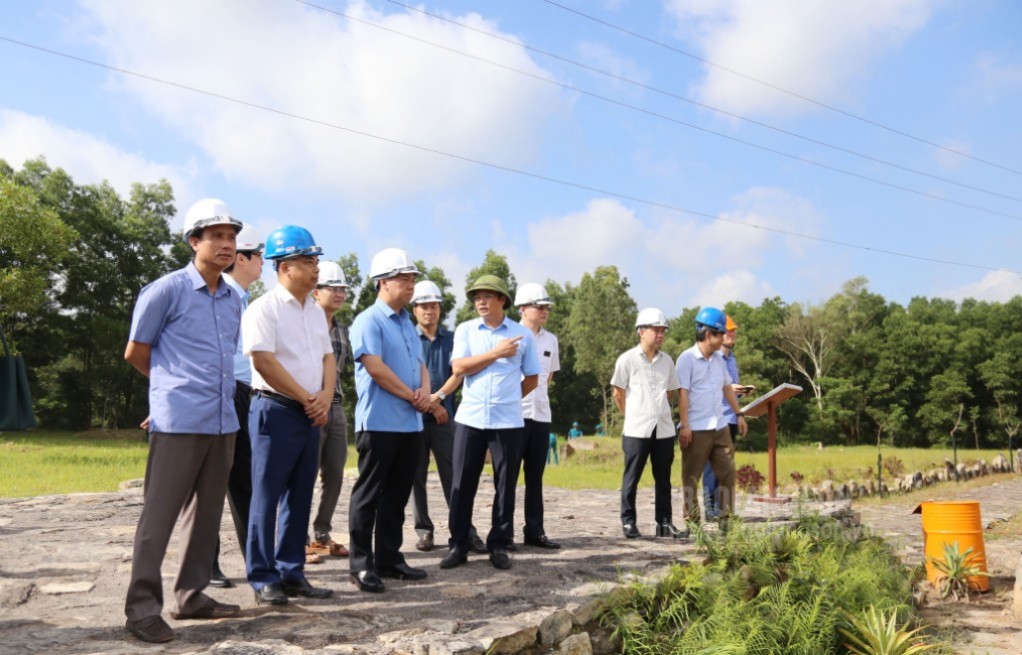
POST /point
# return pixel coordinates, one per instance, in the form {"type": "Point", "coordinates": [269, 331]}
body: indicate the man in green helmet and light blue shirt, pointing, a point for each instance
{"type": "Point", "coordinates": [498, 359]}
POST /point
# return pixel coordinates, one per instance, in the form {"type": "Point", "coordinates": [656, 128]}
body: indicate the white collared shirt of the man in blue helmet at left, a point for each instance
{"type": "Point", "coordinates": [295, 333]}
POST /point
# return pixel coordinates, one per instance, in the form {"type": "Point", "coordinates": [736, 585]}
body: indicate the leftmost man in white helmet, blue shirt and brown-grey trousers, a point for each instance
{"type": "Point", "coordinates": [183, 338]}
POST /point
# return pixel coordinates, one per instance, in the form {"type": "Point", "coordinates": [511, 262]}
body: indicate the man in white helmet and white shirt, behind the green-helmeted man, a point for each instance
{"type": "Point", "coordinates": [534, 303]}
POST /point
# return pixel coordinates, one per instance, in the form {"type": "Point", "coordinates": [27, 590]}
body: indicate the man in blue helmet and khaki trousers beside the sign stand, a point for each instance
{"type": "Point", "coordinates": [705, 435]}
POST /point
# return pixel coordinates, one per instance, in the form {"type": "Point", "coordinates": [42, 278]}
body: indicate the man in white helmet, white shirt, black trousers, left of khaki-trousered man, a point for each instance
{"type": "Point", "coordinates": [644, 384]}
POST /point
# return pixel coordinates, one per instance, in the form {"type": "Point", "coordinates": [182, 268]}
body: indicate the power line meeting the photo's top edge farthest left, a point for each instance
{"type": "Point", "coordinates": [564, 85]}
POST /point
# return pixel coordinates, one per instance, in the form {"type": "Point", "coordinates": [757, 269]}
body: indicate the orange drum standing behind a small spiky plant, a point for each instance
{"type": "Point", "coordinates": [950, 523]}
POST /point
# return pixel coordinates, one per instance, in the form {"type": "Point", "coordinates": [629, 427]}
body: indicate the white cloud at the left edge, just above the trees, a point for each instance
{"type": "Point", "coordinates": [87, 158]}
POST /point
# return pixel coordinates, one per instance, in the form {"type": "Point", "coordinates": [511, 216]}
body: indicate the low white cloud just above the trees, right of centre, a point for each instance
{"type": "Point", "coordinates": [673, 261]}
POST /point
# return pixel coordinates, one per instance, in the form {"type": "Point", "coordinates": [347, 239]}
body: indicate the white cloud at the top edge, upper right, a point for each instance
{"type": "Point", "coordinates": [817, 49]}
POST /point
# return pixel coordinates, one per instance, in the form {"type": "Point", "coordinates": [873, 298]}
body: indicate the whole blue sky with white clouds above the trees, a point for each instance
{"type": "Point", "coordinates": [946, 73]}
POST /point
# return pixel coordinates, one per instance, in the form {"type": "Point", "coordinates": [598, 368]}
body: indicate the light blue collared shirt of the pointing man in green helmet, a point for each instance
{"type": "Point", "coordinates": [492, 398]}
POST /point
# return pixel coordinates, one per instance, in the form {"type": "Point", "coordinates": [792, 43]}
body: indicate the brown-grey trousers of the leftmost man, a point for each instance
{"type": "Point", "coordinates": [187, 477]}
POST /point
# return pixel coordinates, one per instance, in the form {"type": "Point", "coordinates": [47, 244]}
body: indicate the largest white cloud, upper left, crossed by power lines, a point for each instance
{"type": "Point", "coordinates": [321, 66]}
